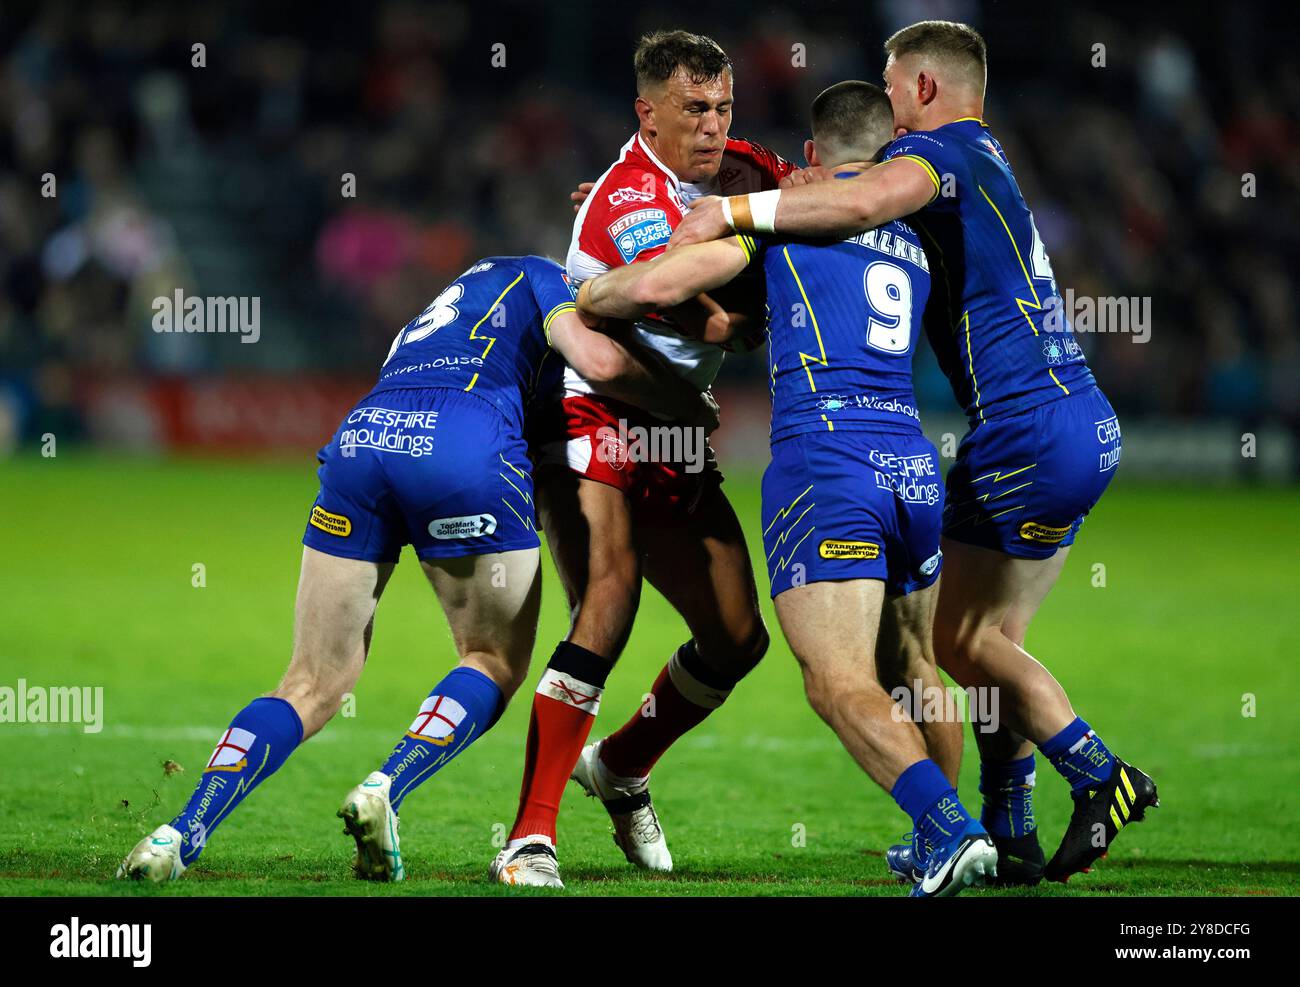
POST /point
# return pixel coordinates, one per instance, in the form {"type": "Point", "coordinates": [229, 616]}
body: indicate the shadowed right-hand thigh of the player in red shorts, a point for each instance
{"type": "Point", "coordinates": [701, 566]}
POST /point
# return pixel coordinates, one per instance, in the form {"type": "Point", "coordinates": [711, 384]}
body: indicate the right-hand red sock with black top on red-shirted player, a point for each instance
{"type": "Point", "coordinates": [682, 702]}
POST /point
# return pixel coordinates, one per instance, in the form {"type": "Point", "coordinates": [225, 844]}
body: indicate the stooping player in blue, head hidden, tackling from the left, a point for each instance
{"type": "Point", "coordinates": [434, 457]}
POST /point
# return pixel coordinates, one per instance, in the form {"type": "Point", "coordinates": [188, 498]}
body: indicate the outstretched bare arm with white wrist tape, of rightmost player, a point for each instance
{"type": "Point", "coordinates": [887, 192]}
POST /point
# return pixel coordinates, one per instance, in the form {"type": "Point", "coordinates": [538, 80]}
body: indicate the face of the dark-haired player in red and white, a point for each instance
{"type": "Point", "coordinates": [690, 124]}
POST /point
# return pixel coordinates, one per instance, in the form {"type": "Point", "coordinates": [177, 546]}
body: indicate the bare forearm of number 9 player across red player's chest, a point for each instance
{"type": "Point", "coordinates": [670, 280]}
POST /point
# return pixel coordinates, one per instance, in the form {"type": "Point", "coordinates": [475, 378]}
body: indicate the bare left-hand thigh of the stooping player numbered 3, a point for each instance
{"type": "Point", "coordinates": [333, 612]}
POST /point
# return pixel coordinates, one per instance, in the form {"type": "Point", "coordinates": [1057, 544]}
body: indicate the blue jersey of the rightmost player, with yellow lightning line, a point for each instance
{"type": "Point", "coordinates": [995, 324]}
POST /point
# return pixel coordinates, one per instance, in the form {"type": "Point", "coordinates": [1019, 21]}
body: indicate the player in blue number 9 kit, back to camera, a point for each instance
{"type": "Point", "coordinates": [852, 500]}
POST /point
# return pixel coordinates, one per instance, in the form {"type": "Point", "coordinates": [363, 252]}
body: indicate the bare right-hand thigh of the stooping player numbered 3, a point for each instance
{"type": "Point", "coordinates": [492, 603]}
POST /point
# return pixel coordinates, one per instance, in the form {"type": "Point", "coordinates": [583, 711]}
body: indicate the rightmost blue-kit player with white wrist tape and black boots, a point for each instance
{"type": "Point", "coordinates": [1043, 440]}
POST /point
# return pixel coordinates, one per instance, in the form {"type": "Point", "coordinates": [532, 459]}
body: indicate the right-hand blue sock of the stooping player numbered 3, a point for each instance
{"type": "Point", "coordinates": [458, 712]}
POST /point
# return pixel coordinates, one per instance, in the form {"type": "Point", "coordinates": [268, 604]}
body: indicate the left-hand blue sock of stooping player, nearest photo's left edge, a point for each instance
{"type": "Point", "coordinates": [258, 742]}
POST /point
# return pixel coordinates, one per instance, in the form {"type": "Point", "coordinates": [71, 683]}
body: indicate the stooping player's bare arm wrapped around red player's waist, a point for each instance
{"type": "Point", "coordinates": [614, 362]}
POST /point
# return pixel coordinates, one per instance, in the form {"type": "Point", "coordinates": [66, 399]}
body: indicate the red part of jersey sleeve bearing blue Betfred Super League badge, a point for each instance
{"type": "Point", "coordinates": [631, 219]}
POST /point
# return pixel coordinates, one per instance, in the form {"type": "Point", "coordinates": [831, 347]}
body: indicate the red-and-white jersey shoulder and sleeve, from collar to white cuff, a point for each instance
{"type": "Point", "coordinates": [629, 217]}
